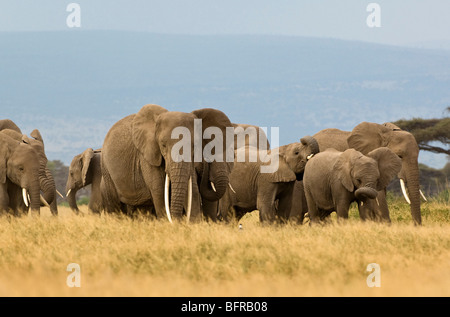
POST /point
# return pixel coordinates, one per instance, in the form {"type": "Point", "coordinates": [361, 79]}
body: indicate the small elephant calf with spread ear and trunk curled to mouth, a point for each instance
{"type": "Point", "coordinates": [333, 180]}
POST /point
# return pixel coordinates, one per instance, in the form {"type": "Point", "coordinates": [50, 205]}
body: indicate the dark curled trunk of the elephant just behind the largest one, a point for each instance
{"type": "Point", "coordinates": [213, 188]}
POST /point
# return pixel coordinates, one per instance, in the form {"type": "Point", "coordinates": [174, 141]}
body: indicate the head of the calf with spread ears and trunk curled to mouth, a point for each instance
{"type": "Point", "coordinates": [366, 175]}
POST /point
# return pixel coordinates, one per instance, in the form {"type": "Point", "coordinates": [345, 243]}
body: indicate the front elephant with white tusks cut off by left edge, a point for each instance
{"type": "Point", "coordinates": [19, 176]}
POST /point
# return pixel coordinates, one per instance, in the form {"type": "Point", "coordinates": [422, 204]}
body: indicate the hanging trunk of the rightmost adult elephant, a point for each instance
{"type": "Point", "coordinates": [411, 174]}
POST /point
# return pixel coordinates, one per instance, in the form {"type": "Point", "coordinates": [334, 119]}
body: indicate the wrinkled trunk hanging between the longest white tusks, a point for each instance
{"type": "Point", "coordinates": [179, 180]}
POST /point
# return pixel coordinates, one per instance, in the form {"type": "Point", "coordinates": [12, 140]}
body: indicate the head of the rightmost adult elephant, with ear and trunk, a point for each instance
{"type": "Point", "coordinates": [367, 136]}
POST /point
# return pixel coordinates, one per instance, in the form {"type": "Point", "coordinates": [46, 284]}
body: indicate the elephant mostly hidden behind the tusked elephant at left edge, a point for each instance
{"type": "Point", "coordinates": [46, 180]}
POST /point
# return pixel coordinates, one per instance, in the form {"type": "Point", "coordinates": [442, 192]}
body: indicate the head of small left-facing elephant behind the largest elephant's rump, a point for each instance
{"type": "Point", "coordinates": [79, 176]}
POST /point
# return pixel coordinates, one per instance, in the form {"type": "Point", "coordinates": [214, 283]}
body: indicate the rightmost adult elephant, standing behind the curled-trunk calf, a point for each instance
{"type": "Point", "coordinates": [366, 137]}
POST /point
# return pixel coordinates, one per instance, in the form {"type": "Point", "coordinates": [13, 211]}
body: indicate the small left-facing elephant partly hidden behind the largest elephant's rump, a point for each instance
{"type": "Point", "coordinates": [85, 170]}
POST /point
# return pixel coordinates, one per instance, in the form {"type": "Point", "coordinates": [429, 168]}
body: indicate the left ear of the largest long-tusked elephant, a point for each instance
{"type": "Point", "coordinates": [143, 133]}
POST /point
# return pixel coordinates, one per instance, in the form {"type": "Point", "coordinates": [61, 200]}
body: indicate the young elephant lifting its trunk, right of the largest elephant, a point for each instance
{"type": "Point", "coordinates": [268, 192]}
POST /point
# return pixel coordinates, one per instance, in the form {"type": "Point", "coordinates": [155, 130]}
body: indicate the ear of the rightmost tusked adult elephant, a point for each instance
{"type": "Point", "coordinates": [367, 136]}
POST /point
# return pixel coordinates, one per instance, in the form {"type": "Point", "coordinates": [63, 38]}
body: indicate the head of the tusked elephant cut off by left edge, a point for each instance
{"type": "Point", "coordinates": [19, 164]}
